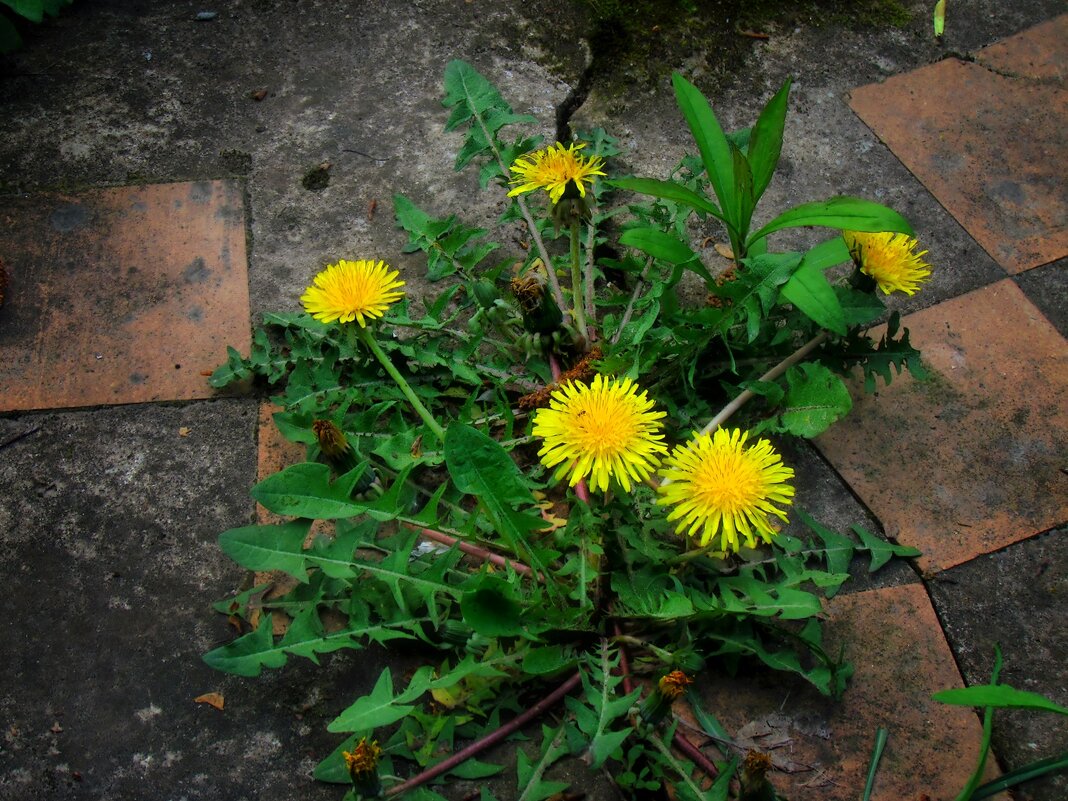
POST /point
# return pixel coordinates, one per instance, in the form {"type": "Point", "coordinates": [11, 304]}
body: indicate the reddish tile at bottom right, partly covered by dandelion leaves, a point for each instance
{"type": "Point", "coordinates": [822, 748]}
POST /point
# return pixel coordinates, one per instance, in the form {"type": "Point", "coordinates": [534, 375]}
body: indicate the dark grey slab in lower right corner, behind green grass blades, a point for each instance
{"type": "Point", "coordinates": [1018, 599]}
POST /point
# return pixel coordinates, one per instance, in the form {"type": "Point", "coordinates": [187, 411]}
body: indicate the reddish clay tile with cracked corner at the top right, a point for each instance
{"type": "Point", "coordinates": [990, 145]}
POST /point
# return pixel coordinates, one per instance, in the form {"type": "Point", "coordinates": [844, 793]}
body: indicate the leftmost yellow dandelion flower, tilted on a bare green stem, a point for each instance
{"type": "Point", "coordinates": [349, 291]}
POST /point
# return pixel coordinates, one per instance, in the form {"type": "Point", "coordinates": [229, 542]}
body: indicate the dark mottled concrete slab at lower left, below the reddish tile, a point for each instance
{"type": "Point", "coordinates": [109, 563]}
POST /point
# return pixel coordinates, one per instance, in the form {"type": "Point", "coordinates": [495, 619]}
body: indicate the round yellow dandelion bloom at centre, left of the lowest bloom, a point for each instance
{"type": "Point", "coordinates": [603, 430]}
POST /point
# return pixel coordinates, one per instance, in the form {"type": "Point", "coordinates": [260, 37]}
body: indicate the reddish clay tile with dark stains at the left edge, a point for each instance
{"type": "Point", "coordinates": [121, 296]}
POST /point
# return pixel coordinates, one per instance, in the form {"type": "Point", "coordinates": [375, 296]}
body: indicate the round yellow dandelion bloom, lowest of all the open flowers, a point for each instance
{"type": "Point", "coordinates": [719, 486]}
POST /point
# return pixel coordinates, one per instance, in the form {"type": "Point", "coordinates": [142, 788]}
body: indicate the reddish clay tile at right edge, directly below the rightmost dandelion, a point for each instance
{"type": "Point", "coordinates": [972, 460]}
